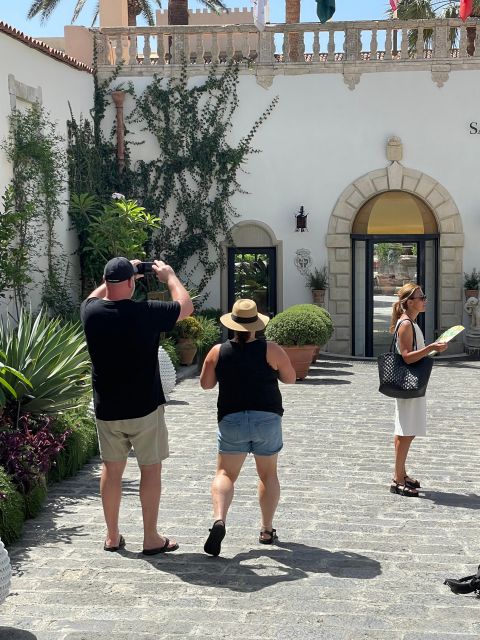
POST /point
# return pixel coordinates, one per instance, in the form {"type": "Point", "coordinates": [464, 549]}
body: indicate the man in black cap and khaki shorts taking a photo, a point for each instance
{"type": "Point", "coordinates": [123, 338]}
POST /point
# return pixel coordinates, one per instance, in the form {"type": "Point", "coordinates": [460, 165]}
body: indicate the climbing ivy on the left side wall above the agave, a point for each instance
{"type": "Point", "coordinates": [34, 198]}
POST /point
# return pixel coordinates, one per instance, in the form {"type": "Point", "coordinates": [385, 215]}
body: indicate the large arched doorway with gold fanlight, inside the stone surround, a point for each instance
{"type": "Point", "coordinates": [394, 241]}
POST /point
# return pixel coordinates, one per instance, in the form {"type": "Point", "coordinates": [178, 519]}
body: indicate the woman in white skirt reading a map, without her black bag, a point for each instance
{"type": "Point", "coordinates": [411, 413]}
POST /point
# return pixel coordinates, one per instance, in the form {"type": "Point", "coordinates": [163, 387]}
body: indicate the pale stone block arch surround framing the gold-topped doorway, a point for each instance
{"type": "Point", "coordinates": [399, 178]}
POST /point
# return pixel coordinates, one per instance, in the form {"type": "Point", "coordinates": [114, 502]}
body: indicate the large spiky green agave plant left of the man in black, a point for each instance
{"type": "Point", "coordinates": [52, 356]}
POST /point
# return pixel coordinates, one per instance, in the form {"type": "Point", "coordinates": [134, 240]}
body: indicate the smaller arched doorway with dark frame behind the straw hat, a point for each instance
{"type": "Point", "coordinates": [253, 267]}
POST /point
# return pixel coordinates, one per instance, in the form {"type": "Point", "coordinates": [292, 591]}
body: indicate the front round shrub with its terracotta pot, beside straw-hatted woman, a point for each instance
{"type": "Point", "coordinates": [298, 332]}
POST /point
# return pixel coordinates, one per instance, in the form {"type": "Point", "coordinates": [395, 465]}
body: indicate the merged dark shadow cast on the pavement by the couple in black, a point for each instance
{"type": "Point", "coordinates": [260, 568]}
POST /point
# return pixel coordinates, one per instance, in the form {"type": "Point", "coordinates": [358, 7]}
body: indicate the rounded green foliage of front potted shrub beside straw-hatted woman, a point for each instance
{"type": "Point", "coordinates": [297, 328]}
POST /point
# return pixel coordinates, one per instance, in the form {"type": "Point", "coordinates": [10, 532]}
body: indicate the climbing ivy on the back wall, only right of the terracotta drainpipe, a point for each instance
{"type": "Point", "coordinates": [195, 176]}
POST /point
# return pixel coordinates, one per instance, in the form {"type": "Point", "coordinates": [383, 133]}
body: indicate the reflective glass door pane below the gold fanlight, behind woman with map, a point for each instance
{"type": "Point", "coordinates": [393, 265]}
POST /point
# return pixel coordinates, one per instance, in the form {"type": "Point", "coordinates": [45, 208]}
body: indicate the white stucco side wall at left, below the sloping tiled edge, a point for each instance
{"type": "Point", "coordinates": [60, 85]}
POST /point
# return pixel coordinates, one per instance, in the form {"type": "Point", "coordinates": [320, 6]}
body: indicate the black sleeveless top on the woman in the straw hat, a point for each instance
{"type": "Point", "coordinates": [246, 381]}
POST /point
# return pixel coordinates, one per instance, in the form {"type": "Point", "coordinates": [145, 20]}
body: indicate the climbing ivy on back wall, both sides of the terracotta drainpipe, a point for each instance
{"type": "Point", "coordinates": [191, 182]}
